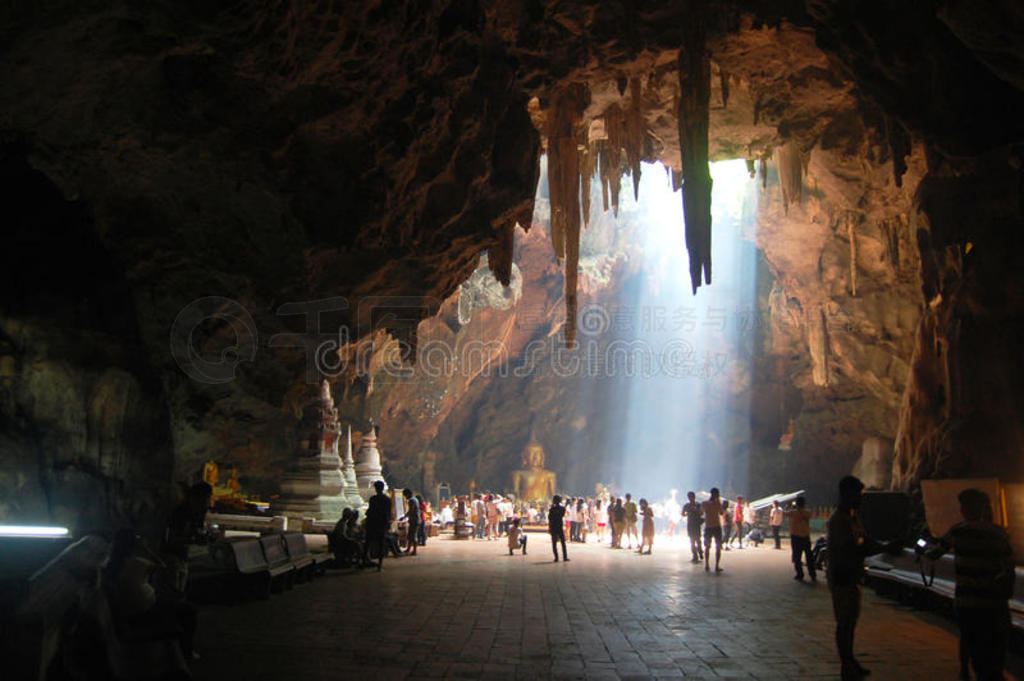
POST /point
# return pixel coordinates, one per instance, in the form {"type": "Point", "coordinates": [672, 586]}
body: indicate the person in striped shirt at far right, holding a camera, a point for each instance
{"type": "Point", "coordinates": [985, 583]}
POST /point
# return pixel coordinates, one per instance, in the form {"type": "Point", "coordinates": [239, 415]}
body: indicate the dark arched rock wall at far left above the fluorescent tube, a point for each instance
{"type": "Point", "coordinates": [84, 431]}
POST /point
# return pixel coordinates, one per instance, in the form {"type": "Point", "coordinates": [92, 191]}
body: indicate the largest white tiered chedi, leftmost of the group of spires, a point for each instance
{"type": "Point", "coordinates": [314, 486]}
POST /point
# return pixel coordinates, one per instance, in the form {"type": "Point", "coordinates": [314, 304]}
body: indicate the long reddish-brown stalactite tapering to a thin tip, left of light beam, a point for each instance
{"type": "Point", "coordinates": [564, 187]}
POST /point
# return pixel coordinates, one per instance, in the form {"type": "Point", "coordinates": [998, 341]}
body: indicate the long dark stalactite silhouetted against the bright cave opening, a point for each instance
{"type": "Point", "coordinates": [695, 87]}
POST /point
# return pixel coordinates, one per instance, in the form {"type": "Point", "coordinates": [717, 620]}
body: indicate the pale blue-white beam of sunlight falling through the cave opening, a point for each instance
{"type": "Point", "coordinates": [686, 424]}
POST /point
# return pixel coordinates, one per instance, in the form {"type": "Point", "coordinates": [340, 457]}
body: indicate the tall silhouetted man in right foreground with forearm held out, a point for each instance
{"type": "Point", "coordinates": [848, 546]}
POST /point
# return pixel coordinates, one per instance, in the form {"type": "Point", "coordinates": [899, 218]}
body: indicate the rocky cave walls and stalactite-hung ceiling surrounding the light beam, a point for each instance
{"type": "Point", "coordinates": [298, 191]}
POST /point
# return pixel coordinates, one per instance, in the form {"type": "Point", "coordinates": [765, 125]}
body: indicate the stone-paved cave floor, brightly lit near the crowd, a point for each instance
{"type": "Point", "coordinates": [466, 610]}
